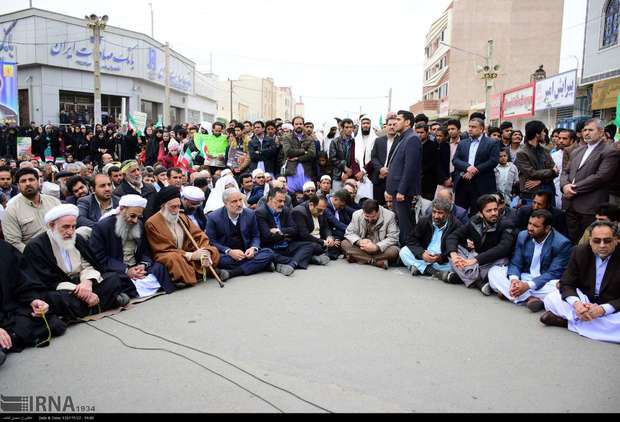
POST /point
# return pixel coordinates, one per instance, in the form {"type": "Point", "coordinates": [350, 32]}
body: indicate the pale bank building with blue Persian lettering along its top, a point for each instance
{"type": "Point", "coordinates": [54, 53]}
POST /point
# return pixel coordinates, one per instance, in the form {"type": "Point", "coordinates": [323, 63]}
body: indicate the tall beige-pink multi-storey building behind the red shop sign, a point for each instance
{"type": "Point", "coordinates": [457, 44]}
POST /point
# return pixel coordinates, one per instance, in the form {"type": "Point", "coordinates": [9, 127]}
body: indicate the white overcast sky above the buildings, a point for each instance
{"type": "Point", "coordinates": [337, 55]}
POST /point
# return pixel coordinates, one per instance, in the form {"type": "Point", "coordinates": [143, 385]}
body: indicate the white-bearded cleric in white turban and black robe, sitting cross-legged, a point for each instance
{"type": "Point", "coordinates": [76, 282]}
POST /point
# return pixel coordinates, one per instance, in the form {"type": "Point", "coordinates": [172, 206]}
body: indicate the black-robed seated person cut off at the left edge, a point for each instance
{"type": "Point", "coordinates": [22, 305]}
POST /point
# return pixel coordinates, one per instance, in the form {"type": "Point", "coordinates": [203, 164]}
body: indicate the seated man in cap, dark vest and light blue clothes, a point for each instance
{"type": "Point", "coordinates": [425, 253]}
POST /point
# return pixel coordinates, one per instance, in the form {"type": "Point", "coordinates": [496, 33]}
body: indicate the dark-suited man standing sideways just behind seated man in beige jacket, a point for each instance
{"type": "Point", "coordinates": [404, 179]}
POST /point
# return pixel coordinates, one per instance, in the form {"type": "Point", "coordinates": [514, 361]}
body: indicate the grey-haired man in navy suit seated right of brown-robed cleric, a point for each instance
{"type": "Point", "coordinates": [233, 230]}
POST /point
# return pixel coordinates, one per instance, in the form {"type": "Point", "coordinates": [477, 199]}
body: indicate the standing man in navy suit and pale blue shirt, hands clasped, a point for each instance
{"type": "Point", "coordinates": [474, 163]}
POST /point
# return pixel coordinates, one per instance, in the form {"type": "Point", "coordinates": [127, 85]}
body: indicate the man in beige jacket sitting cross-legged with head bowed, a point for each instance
{"type": "Point", "coordinates": [372, 238]}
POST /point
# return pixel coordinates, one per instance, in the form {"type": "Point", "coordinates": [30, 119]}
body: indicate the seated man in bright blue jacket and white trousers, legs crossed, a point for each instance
{"type": "Point", "coordinates": [539, 260]}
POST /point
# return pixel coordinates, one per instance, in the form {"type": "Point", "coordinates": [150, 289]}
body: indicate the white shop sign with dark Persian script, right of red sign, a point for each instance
{"type": "Point", "coordinates": [556, 91]}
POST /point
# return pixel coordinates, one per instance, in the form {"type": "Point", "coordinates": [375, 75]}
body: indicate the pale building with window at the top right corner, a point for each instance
{"type": "Point", "coordinates": [600, 79]}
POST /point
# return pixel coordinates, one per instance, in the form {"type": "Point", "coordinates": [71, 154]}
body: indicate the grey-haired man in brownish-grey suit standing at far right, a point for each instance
{"type": "Point", "coordinates": [585, 181]}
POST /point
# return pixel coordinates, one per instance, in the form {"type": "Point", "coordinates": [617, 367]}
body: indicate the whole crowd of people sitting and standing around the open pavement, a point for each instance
{"type": "Point", "coordinates": [114, 215]}
